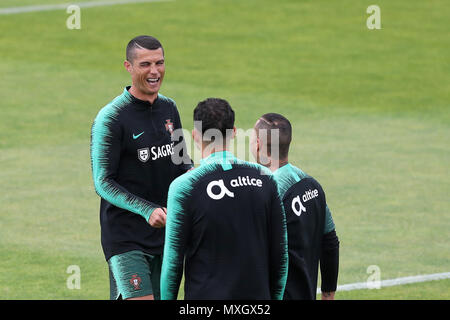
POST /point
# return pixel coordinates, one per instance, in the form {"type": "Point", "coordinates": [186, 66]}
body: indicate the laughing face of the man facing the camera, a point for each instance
{"type": "Point", "coordinates": [147, 71]}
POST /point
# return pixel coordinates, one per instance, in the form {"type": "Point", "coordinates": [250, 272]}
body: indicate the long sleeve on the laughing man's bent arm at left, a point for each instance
{"type": "Point", "coordinates": [105, 158]}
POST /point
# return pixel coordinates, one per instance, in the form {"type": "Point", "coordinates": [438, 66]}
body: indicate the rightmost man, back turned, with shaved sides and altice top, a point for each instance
{"type": "Point", "coordinates": [311, 231]}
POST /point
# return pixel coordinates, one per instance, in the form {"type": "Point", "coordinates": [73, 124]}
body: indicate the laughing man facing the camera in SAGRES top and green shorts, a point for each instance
{"type": "Point", "coordinates": [134, 160]}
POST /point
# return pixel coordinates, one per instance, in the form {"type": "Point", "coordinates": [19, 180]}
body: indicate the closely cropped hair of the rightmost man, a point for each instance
{"type": "Point", "coordinates": [272, 121]}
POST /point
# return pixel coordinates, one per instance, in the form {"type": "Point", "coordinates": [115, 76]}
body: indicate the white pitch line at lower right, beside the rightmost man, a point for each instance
{"type": "Point", "coordinates": [393, 282]}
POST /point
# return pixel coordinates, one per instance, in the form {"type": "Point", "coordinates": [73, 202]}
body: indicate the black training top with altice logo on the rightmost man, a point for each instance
{"type": "Point", "coordinates": [308, 221]}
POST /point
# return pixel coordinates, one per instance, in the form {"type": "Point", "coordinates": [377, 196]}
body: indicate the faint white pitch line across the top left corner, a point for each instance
{"type": "Point", "coordinates": [90, 4]}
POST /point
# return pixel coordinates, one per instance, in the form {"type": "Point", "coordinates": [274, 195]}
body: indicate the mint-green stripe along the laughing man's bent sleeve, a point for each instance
{"type": "Point", "coordinates": [105, 186]}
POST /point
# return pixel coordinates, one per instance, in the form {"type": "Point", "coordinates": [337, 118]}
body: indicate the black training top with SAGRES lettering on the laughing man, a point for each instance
{"type": "Point", "coordinates": [134, 160]}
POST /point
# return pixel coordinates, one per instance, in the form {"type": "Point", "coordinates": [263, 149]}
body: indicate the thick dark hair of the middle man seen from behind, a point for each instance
{"type": "Point", "coordinates": [214, 113]}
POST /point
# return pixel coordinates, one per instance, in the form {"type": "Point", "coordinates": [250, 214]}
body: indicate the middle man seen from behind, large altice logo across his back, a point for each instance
{"type": "Point", "coordinates": [226, 219]}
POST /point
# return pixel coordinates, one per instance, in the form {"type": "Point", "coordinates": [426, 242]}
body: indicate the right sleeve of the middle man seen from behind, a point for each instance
{"type": "Point", "coordinates": [279, 248]}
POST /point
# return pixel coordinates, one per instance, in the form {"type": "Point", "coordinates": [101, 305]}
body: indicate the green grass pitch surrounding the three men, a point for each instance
{"type": "Point", "coordinates": [370, 111]}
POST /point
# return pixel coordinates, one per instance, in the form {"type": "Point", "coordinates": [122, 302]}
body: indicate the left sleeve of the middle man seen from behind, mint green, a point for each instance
{"type": "Point", "coordinates": [177, 226]}
